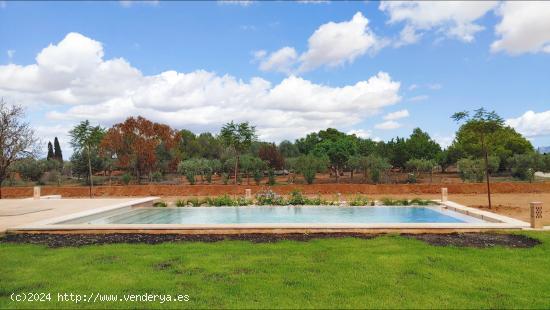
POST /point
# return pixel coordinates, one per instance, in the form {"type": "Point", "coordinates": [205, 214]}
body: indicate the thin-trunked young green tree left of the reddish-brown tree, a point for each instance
{"type": "Point", "coordinates": [86, 138]}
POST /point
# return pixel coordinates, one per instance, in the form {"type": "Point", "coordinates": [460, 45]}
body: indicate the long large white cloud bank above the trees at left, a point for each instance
{"type": "Point", "coordinates": [74, 81]}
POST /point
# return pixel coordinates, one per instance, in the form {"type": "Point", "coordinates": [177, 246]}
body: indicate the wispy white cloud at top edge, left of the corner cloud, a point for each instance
{"type": "Point", "coordinates": [455, 19]}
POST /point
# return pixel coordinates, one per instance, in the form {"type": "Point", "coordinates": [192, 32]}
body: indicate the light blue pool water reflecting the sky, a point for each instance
{"type": "Point", "coordinates": [276, 215]}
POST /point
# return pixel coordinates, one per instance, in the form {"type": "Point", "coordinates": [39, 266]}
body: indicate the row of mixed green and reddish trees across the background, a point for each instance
{"type": "Point", "coordinates": [144, 150]}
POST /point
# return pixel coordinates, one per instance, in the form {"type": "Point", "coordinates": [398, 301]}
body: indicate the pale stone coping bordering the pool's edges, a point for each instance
{"type": "Point", "coordinates": [493, 222]}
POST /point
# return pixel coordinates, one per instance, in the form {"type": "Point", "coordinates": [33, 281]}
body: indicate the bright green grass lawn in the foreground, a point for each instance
{"type": "Point", "coordinates": [385, 272]}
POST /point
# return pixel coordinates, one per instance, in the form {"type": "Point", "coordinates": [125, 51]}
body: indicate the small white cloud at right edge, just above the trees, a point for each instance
{"type": "Point", "coordinates": [532, 124]}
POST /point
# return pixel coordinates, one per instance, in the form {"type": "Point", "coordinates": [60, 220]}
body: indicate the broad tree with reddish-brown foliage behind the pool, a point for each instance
{"type": "Point", "coordinates": [135, 141]}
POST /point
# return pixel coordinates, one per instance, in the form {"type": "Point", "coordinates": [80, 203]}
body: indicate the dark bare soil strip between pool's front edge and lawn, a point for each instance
{"type": "Point", "coordinates": [477, 240]}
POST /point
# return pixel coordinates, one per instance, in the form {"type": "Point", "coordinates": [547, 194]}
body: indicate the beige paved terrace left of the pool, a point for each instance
{"type": "Point", "coordinates": [20, 212]}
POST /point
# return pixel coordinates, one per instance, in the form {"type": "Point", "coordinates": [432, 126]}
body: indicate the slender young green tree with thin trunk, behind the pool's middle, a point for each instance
{"type": "Point", "coordinates": [239, 137]}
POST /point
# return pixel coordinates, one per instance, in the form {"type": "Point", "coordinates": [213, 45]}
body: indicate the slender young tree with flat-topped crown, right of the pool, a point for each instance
{"type": "Point", "coordinates": [480, 126]}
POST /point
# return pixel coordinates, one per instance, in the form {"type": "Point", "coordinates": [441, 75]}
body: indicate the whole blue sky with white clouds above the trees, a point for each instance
{"type": "Point", "coordinates": [220, 58]}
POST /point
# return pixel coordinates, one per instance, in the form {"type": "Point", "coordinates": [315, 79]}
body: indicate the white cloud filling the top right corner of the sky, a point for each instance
{"type": "Point", "coordinates": [524, 27]}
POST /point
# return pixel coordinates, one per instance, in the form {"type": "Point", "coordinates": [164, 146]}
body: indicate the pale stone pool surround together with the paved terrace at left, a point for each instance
{"type": "Point", "coordinates": [43, 216]}
